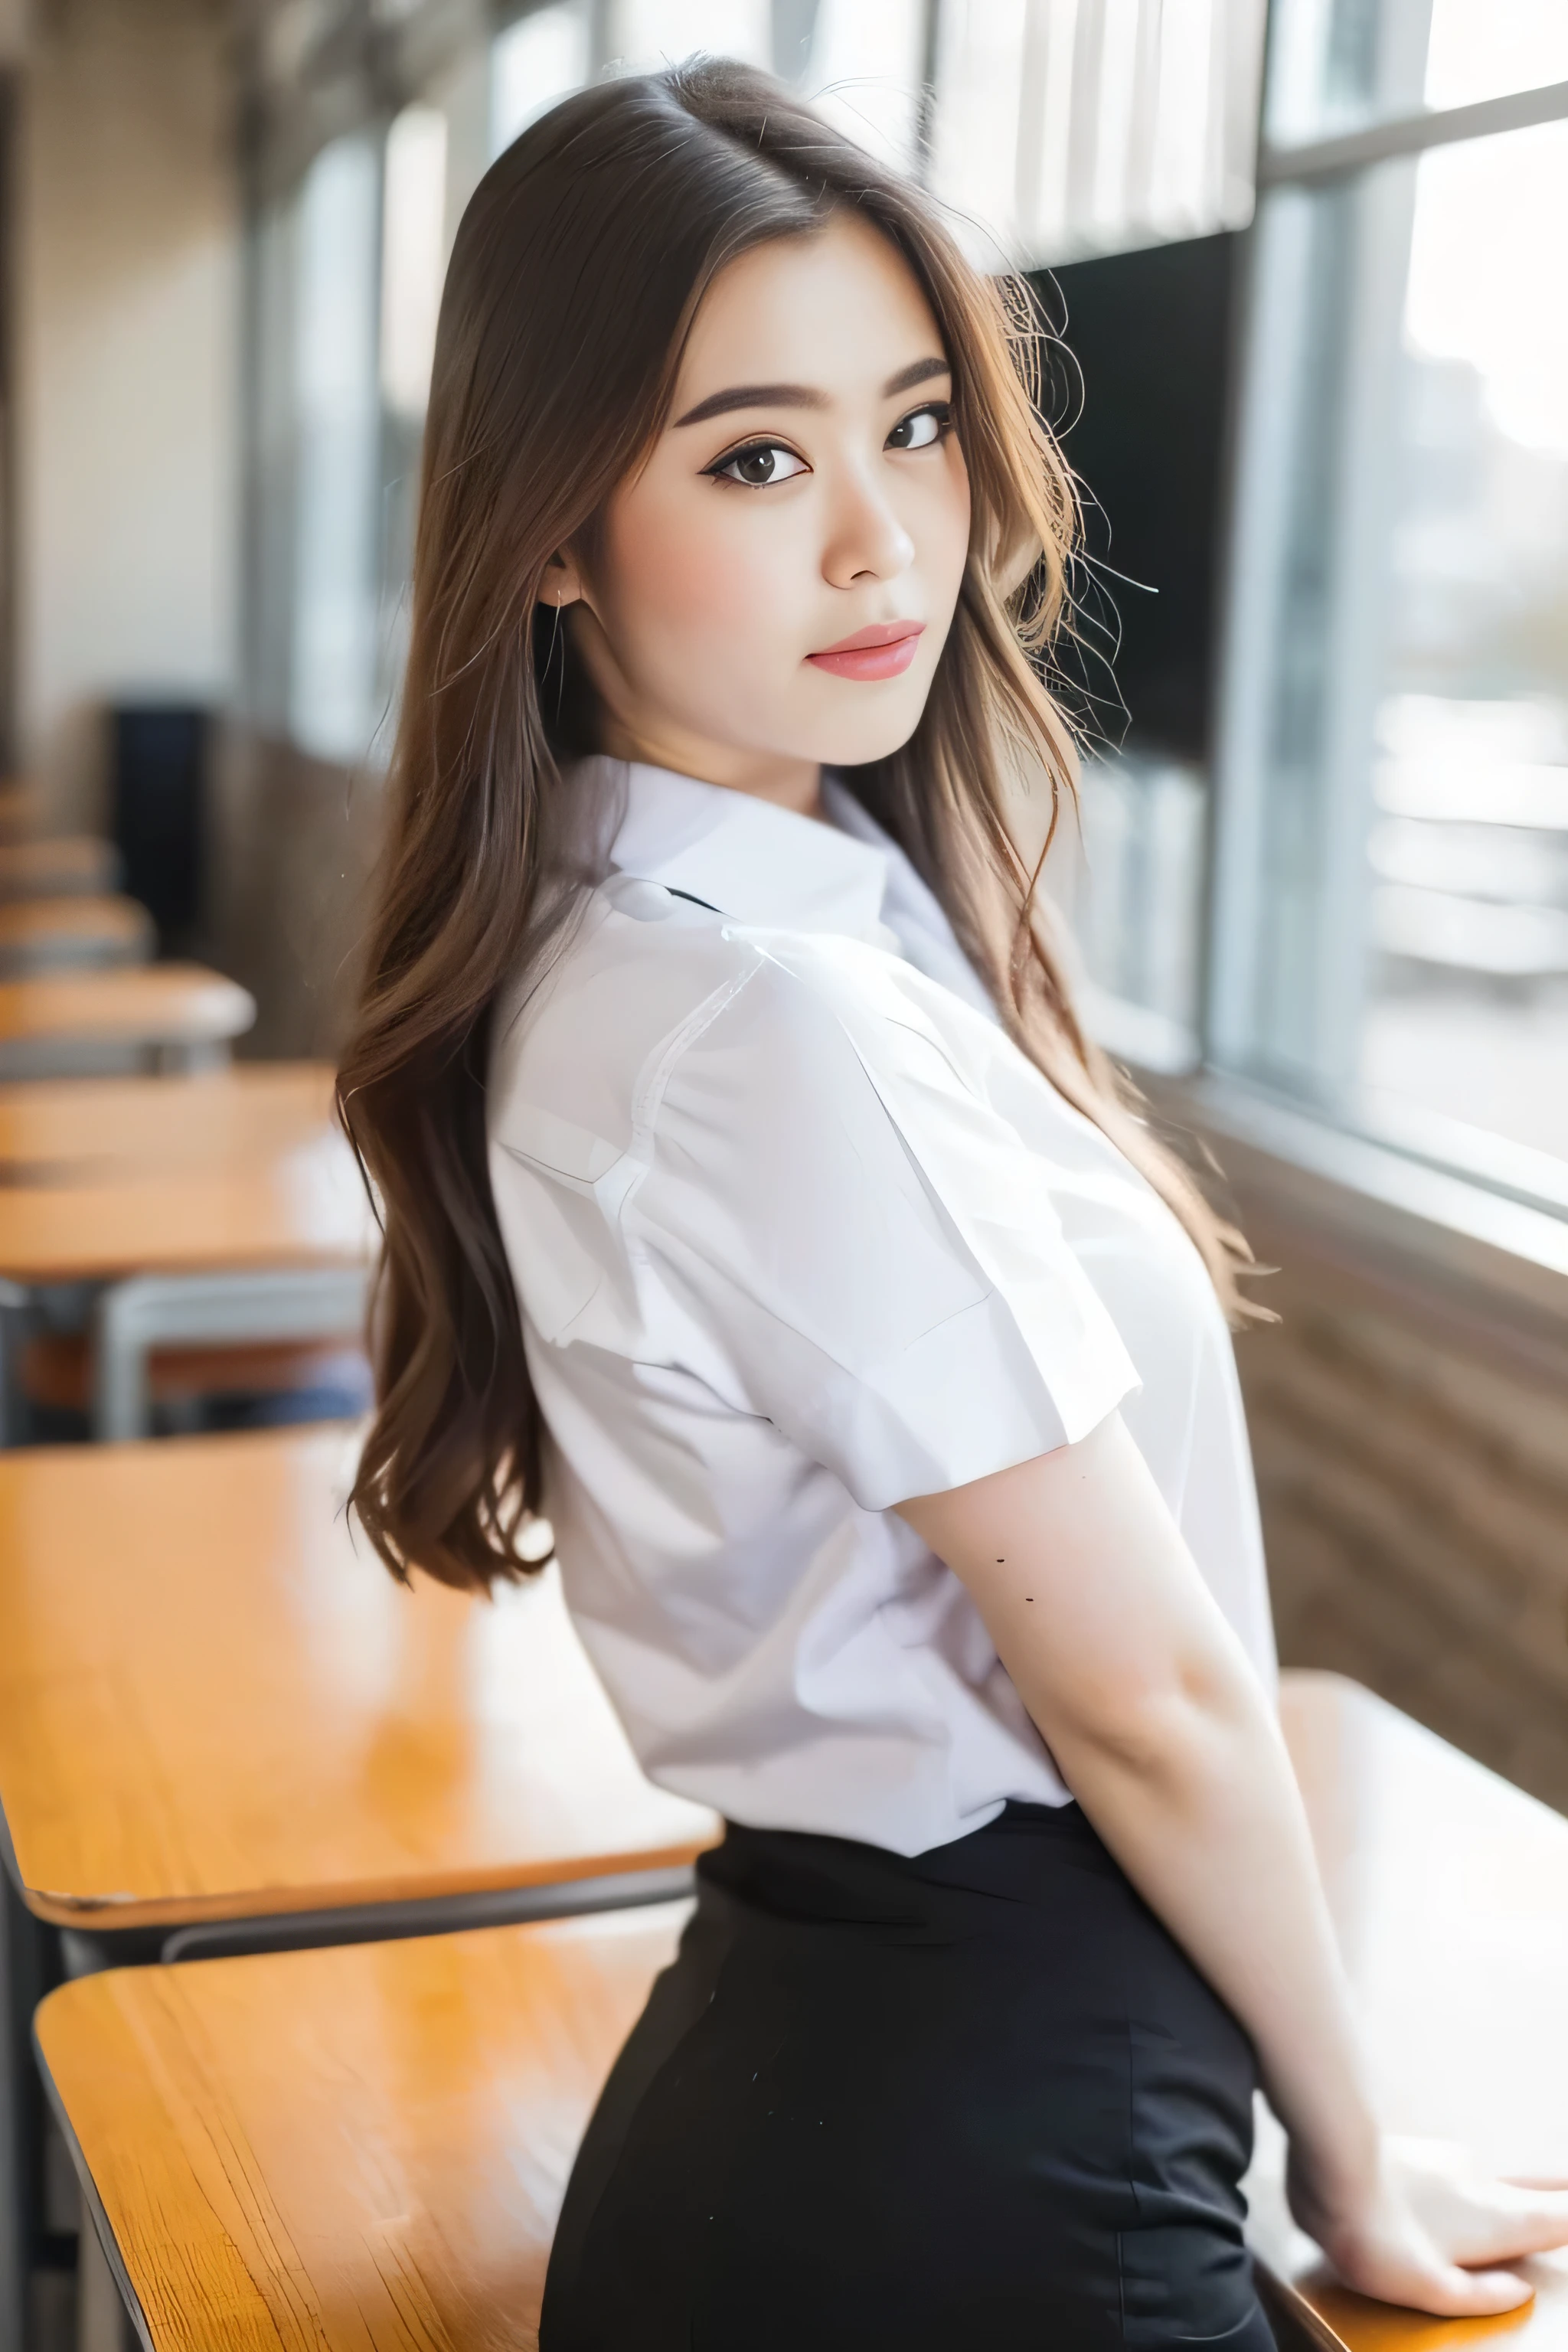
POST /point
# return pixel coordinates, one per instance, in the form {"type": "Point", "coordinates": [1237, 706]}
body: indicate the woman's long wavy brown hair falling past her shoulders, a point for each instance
{"type": "Point", "coordinates": [577, 272]}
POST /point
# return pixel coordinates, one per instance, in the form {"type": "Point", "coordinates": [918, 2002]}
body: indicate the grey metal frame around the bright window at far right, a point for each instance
{"type": "Point", "coordinates": [1477, 1215]}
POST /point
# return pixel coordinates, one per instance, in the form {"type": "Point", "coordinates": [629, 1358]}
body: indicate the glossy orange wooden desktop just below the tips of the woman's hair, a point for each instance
{"type": "Point", "coordinates": [217, 1704]}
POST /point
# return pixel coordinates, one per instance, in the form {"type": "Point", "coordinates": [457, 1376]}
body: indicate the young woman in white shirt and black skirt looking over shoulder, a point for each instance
{"type": "Point", "coordinates": [756, 1208]}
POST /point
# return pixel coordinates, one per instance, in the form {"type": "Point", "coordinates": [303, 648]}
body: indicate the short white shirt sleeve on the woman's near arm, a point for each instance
{"type": "Point", "coordinates": [850, 1241]}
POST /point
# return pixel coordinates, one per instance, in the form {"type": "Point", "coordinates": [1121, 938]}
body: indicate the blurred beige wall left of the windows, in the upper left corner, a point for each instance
{"type": "Point", "coordinates": [128, 286]}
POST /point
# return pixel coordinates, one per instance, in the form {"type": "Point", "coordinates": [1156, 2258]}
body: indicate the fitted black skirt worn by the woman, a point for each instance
{"type": "Point", "coordinates": [967, 2099]}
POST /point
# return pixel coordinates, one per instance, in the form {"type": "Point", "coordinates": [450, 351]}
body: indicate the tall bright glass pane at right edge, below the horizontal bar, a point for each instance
{"type": "Point", "coordinates": [1470, 909]}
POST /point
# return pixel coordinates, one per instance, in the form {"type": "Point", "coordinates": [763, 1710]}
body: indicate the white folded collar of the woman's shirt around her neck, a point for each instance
{"type": "Point", "coordinates": [751, 860]}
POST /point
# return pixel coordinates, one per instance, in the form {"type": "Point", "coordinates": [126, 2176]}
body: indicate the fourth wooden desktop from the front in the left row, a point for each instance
{"type": "Point", "coordinates": [91, 1128]}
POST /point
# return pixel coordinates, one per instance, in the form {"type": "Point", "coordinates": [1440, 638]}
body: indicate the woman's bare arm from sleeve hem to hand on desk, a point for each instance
{"type": "Point", "coordinates": [1170, 1744]}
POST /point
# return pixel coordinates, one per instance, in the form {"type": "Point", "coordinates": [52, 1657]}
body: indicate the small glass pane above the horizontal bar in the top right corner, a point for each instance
{"type": "Point", "coordinates": [1339, 65]}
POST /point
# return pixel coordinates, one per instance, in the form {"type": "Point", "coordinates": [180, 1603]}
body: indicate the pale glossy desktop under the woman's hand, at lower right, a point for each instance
{"type": "Point", "coordinates": [1452, 1902]}
